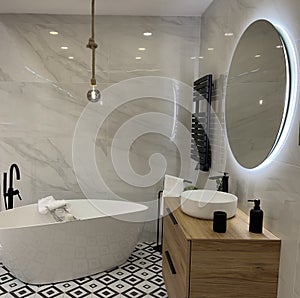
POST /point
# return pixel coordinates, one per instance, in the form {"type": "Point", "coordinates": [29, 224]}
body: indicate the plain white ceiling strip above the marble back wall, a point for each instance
{"type": "Point", "coordinates": [108, 7]}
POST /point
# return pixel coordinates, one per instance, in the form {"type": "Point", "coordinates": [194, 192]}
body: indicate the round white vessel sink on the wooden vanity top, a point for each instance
{"type": "Point", "coordinates": [202, 203]}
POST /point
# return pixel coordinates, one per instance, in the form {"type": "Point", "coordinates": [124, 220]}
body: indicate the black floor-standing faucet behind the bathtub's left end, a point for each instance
{"type": "Point", "coordinates": [8, 194]}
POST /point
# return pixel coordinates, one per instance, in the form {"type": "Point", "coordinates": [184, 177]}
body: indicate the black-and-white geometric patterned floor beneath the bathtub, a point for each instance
{"type": "Point", "coordinates": [140, 276]}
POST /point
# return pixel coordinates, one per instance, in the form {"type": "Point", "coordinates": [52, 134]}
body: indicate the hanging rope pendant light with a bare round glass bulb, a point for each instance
{"type": "Point", "coordinates": [94, 94]}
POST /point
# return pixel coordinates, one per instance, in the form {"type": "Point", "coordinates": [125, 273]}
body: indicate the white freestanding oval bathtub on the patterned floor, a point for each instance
{"type": "Point", "coordinates": [38, 250]}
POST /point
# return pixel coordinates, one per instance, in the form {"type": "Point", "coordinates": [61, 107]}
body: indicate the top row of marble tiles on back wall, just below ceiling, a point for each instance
{"type": "Point", "coordinates": [34, 55]}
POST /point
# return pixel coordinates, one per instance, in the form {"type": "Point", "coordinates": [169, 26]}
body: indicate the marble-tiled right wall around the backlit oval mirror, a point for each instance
{"type": "Point", "coordinates": [278, 183]}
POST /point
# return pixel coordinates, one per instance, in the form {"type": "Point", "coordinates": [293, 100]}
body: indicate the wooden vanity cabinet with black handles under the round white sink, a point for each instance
{"type": "Point", "coordinates": [199, 263]}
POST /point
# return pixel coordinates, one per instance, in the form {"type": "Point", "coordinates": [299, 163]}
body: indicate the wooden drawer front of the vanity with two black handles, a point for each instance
{"type": "Point", "coordinates": [176, 258]}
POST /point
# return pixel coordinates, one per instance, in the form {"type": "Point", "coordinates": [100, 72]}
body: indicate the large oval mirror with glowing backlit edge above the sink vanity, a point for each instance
{"type": "Point", "coordinates": [257, 94]}
